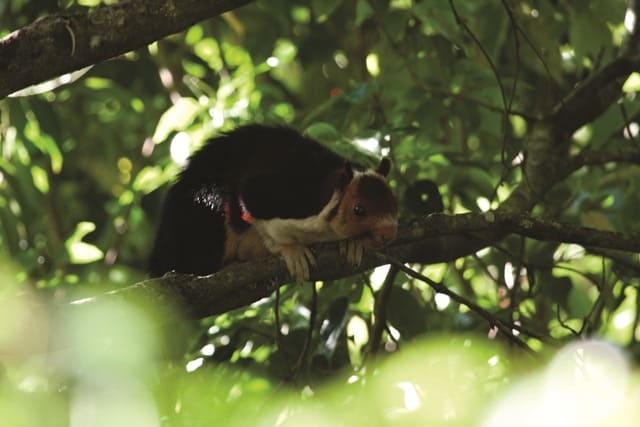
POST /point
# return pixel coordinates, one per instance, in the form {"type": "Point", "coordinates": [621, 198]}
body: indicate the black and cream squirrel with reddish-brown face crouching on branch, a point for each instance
{"type": "Point", "coordinates": [258, 190]}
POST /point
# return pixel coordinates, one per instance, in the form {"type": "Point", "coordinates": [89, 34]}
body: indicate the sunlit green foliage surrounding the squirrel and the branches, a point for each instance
{"type": "Point", "coordinates": [449, 89]}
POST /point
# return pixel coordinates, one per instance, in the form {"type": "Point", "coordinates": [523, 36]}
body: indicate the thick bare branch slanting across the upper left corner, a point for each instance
{"type": "Point", "coordinates": [59, 44]}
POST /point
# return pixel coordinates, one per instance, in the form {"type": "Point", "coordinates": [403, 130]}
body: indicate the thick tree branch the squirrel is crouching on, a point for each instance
{"type": "Point", "coordinates": [437, 238]}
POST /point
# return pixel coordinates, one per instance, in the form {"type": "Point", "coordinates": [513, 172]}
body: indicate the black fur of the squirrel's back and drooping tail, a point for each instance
{"type": "Point", "coordinates": [269, 171]}
